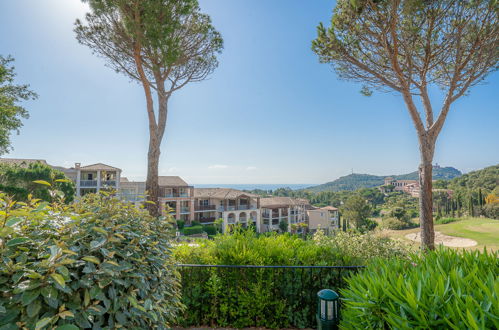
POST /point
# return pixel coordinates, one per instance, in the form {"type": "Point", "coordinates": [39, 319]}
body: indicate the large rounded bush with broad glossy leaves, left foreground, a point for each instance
{"type": "Point", "coordinates": [97, 263]}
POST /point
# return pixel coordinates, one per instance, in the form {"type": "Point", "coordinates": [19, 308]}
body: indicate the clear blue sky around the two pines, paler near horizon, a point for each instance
{"type": "Point", "coordinates": [271, 113]}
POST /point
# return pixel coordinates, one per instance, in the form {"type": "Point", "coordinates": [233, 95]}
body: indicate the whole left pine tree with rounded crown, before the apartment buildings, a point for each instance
{"type": "Point", "coordinates": [163, 45]}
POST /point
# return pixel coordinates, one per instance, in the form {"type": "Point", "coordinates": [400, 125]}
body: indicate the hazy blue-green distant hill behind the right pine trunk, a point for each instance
{"type": "Point", "coordinates": [357, 181]}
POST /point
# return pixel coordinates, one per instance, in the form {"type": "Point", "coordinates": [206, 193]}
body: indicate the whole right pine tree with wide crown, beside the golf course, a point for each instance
{"type": "Point", "coordinates": [410, 47]}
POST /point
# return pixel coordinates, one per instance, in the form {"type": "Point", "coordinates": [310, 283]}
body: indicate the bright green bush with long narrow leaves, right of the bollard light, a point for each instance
{"type": "Point", "coordinates": [441, 289]}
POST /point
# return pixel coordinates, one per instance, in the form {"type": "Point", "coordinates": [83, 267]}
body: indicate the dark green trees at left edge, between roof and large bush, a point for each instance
{"type": "Point", "coordinates": [18, 180]}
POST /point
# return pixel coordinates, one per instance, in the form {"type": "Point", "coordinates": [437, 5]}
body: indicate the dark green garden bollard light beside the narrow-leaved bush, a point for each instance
{"type": "Point", "coordinates": [327, 309]}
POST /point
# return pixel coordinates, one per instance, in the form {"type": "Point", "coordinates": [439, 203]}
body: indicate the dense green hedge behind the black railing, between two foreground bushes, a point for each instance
{"type": "Point", "coordinates": [272, 298]}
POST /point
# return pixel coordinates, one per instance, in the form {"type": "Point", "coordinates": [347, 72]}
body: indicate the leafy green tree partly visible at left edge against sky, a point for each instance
{"type": "Point", "coordinates": [11, 96]}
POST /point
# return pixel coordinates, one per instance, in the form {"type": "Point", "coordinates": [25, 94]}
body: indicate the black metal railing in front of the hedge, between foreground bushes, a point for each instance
{"type": "Point", "coordinates": [223, 295]}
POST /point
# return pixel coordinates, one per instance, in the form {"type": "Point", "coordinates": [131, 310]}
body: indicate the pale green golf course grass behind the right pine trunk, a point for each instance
{"type": "Point", "coordinates": [484, 231]}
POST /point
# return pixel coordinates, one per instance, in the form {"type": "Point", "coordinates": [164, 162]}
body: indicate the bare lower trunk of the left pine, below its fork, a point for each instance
{"type": "Point", "coordinates": [152, 185]}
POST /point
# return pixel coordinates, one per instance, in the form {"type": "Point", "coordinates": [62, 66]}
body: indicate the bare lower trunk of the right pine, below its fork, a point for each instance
{"type": "Point", "coordinates": [426, 201]}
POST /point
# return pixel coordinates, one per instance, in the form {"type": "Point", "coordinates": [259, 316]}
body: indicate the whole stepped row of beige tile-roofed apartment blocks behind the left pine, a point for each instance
{"type": "Point", "coordinates": [204, 205]}
